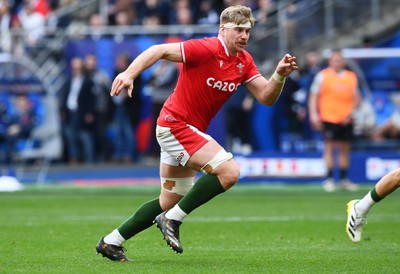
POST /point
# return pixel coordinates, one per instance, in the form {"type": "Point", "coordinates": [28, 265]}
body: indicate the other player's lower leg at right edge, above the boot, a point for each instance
{"type": "Point", "coordinates": [386, 185]}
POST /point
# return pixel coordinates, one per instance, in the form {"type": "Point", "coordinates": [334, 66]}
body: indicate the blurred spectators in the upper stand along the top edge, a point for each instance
{"type": "Point", "coordinates": [39, 19]}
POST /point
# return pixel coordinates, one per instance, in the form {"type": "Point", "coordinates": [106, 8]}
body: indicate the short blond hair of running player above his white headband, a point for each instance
{"type": "Point", "coordinates": [237, 14]}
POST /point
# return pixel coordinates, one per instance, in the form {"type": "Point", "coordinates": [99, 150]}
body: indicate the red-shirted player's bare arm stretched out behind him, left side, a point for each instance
{"type": "Point", "coordinates": [146, 59]}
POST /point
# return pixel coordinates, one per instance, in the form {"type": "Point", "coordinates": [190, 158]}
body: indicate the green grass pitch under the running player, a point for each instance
{"type": "Point", "coordinates": [249, 229]}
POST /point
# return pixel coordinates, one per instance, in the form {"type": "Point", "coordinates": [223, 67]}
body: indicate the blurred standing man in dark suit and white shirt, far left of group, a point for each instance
{"type": "Point", "coordinates": [78, 114]}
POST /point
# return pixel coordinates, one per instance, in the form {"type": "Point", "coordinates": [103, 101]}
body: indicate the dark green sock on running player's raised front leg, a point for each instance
{"type": "Point", "coordinates": [206, 188]}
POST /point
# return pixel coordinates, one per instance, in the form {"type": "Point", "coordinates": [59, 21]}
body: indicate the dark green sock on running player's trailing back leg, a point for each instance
{"type": "Point", "coordinates": [141, 220]}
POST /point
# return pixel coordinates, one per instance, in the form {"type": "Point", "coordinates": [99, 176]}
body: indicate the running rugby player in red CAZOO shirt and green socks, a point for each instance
{"type": "Point", "coordinates": [212, 70]}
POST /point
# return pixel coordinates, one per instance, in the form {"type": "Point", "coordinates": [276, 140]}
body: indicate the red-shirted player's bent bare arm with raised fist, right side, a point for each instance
{"type": "Point", "coordinates": [266, 91]}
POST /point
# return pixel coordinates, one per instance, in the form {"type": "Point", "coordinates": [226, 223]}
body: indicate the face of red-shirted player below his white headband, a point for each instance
{"type": "Point", "coordinates": [235, 38]}
